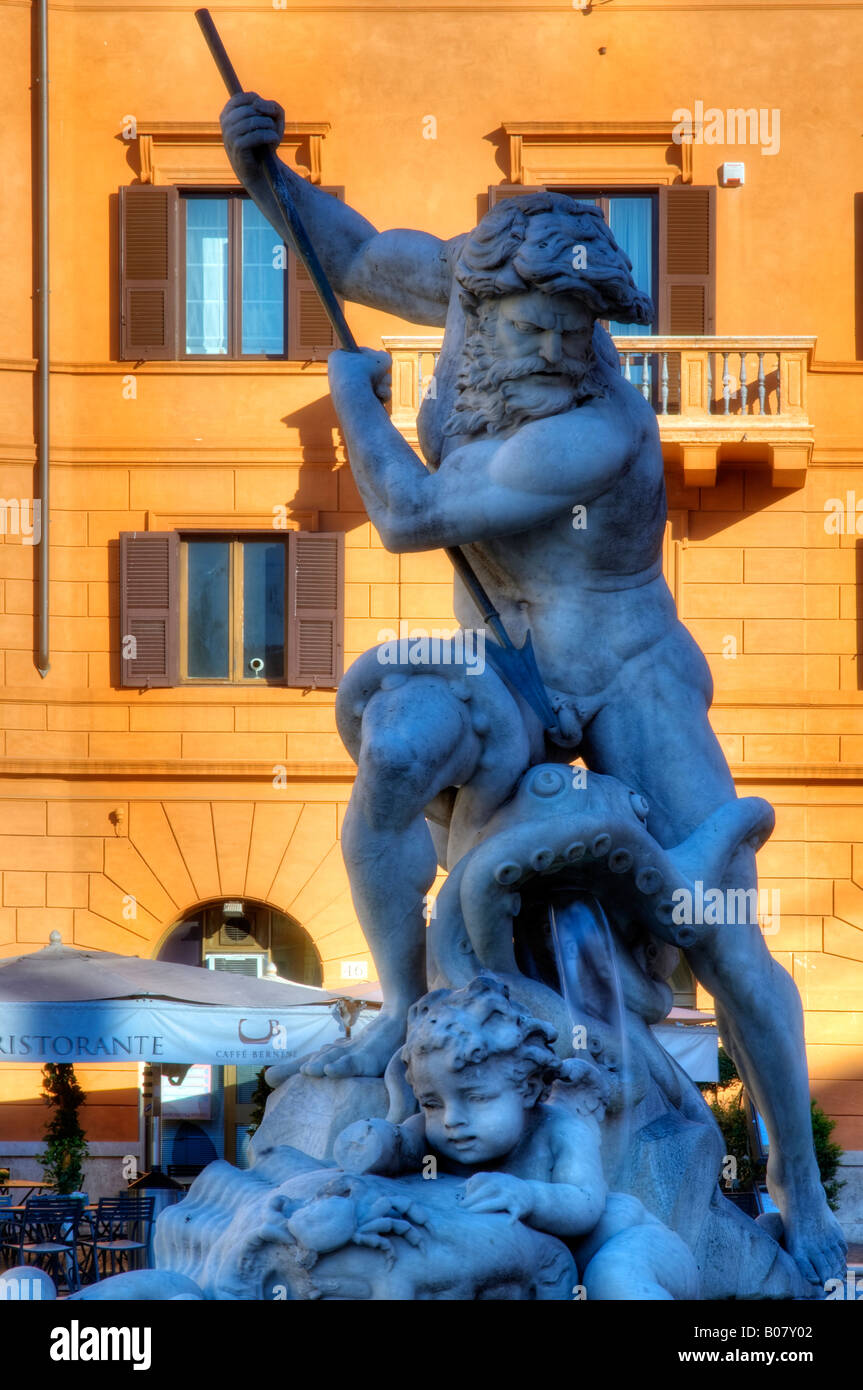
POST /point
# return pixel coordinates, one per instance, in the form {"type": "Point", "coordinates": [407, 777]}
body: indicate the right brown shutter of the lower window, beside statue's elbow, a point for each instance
{"type": "Point", "coordinates": [316, 589]}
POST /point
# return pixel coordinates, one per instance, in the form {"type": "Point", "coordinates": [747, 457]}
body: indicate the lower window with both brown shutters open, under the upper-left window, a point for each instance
{"type": "Point", "coordinates": [226, 608]}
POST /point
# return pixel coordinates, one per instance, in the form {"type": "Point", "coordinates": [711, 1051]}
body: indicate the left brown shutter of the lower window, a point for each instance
{"type": "Point", "coordinates": [149, 608]}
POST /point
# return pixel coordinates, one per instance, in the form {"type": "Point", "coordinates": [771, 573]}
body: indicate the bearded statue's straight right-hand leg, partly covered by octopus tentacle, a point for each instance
{"type": "Point", "coordinates": [657, 737]}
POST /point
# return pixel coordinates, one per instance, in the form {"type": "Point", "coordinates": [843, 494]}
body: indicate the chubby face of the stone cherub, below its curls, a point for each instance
{"type": "Point", "coordinates": [475, 1115]}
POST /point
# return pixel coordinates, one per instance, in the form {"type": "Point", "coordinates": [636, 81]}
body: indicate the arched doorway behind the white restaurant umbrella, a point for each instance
{"type": "Point", "coordinates": [206, 1111]}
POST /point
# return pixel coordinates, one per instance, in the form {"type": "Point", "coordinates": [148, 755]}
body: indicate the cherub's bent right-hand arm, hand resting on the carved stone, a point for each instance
{"type": "Point", "coordinates": [570, 1203]}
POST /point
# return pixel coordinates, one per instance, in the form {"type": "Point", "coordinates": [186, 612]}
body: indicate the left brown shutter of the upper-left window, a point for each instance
{"type": "Point", "coordinates": [149, 220]}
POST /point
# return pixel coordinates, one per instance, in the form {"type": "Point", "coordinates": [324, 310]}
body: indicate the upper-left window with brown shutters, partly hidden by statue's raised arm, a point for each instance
{"type": "Point", "coordinates": [205, 276]}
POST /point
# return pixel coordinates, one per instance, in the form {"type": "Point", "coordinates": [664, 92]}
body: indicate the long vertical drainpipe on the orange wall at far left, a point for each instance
{"type": "Point", "coordinates": [44, 359]}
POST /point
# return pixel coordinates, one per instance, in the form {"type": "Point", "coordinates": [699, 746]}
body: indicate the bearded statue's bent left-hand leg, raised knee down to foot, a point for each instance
{"type": "Point", "coordinates": [416, 740]}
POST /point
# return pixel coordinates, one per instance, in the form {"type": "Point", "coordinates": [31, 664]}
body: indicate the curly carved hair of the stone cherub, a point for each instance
{"type": "Point", "coordinates": [476, 1024]}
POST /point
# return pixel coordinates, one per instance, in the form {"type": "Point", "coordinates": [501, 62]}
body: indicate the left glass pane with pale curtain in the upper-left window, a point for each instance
{"type": "Point", "coordinates": [208, 276]}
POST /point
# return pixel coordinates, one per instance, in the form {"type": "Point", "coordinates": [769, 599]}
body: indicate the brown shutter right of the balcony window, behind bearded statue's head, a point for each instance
{"type": "Point", "coordinates": [687, 261]}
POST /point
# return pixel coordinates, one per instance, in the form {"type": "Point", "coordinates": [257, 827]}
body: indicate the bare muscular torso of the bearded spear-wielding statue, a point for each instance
{"type": "Point", "coordinates": [593, 594]}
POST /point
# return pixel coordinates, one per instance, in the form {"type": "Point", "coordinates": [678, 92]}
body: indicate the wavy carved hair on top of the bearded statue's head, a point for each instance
{"type": "Point", "coordinates": [501, 258]}
